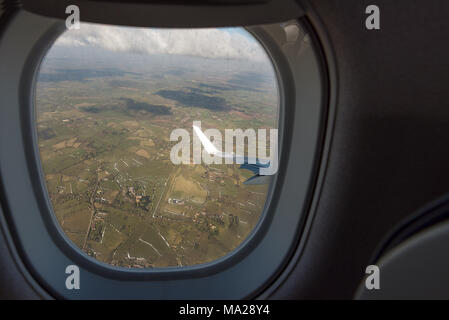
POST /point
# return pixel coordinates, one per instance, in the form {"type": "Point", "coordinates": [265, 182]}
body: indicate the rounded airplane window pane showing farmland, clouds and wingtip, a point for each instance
{"type": "Point", "coordinates": [157, 145]}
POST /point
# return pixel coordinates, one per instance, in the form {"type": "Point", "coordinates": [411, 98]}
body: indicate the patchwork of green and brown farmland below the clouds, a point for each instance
{"type": "Point", "coordinates": [105, 149]}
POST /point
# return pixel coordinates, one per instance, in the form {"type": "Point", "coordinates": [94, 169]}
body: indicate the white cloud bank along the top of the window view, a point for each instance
{"type": "Point", "coordinates": [208, 43]}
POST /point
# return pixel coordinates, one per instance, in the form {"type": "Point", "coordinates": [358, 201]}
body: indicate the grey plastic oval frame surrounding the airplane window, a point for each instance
{"type": "Point", "coordinates": [33, 224]}
